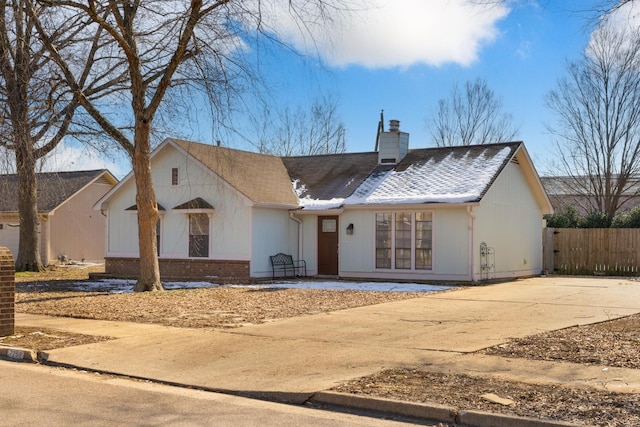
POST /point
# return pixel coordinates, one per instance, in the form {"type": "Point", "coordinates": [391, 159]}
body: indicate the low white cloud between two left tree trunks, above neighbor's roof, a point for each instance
{"type": "Point", "coordinates": [67, 157]}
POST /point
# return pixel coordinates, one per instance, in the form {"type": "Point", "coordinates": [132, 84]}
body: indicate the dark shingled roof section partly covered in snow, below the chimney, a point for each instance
{"type": "Point", "coordinates": [426, 174]}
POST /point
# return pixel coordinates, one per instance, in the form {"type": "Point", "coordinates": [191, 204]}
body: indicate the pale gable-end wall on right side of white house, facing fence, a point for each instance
{"type": "Point", "coordinates": [510, 220]}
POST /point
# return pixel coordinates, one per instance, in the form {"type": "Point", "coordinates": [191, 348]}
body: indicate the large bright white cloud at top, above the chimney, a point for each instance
{"type": "Point", "coordinates": [400, 33]}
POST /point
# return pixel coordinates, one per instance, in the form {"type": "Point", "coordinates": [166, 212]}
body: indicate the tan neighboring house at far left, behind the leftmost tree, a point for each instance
{"type": "Point", "coordinates": [69, 228]}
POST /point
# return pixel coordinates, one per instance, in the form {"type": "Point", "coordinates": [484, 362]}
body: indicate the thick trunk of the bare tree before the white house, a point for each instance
{"type": "Point", "coordinates": [149, 278]}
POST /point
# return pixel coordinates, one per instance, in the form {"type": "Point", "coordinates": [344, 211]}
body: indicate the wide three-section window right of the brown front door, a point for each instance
{"type": "Point", "coordinates": [404, 240]}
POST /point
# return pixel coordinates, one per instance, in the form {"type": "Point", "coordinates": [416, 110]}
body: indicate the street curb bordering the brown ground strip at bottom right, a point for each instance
{"type": "Point", "coordinates": [432, 411]}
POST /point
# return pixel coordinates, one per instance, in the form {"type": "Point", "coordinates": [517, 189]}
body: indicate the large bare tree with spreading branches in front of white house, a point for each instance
{"type": "Point", "coordinates": [168, 45]}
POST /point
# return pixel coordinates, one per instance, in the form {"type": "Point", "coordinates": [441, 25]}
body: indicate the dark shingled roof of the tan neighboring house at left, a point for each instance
{"type": "Point", "coordinates": [54, 188]}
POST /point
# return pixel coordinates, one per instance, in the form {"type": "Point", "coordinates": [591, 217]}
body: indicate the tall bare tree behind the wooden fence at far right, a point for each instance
{"type": "Point", "coordinates": [597, 105]}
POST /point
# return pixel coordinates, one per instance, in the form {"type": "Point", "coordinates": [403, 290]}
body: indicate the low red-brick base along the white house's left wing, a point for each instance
{"type": "Point", "coordinates": [200, 269]}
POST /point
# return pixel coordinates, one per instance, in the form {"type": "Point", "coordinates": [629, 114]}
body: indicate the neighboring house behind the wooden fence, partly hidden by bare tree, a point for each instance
{"type": "Point", "coordinates": [572, 191]}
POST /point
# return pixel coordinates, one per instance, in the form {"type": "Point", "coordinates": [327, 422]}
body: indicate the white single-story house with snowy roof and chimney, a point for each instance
{"type": "Point", "coordinates": [419, 215]}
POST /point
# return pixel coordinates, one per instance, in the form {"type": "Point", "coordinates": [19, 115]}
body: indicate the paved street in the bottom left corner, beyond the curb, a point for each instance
{"type": "Point", "coordinates": [48, 396]}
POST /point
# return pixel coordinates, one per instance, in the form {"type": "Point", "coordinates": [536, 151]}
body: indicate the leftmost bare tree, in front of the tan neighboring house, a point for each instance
{"type": "Point", "coordinates": [36, 107]}
